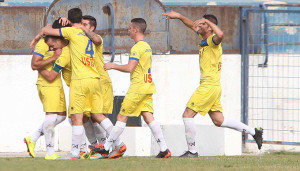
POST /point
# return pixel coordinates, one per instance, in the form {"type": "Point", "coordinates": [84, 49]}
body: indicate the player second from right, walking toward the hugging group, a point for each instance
{"type": "Point", "coordinates": [138, 100]}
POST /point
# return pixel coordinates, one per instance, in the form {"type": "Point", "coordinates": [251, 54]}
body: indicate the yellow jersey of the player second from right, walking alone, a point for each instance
{"type": "Point", "coordinates": [141, 79]}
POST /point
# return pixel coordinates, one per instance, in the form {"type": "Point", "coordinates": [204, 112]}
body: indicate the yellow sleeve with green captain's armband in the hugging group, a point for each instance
{"type": "Point", "coordinates": [62, 61]}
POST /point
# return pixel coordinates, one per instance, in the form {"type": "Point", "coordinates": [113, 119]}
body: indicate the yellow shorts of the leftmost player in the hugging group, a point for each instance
{"type": "Point", "coordinates": [53, 98]}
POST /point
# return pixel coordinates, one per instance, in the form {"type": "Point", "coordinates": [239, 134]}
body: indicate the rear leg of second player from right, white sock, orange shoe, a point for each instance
{"type": "Point", "coordinates": [157, 133]}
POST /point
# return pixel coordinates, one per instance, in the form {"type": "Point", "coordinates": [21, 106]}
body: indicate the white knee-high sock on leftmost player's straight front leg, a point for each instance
{"type": "Point", "coordinates": [48, 129]}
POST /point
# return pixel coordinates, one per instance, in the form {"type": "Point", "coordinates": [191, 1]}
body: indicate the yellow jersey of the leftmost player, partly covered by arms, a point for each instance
{"type": "Point", "coordinates": [43, 50]}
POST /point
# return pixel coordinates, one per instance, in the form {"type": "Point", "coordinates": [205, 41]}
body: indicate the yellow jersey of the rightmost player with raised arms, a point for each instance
{"type": "Point", "coordinates": [210, 61]}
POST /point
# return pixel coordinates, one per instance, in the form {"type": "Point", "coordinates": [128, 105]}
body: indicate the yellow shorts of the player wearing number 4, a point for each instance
{"type": "Point", "coordinates": [85, 96]}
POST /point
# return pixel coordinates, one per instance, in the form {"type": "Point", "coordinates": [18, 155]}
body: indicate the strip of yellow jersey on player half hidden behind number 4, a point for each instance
{"type": "Point", "coordinates": [104, 77]}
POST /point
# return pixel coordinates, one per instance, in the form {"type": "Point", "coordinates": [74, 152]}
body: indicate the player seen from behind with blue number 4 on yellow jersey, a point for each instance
{"type": "Point", "coordinates": [85, 83]}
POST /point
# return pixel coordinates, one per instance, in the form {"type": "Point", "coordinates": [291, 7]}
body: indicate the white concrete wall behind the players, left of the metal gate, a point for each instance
{"type": "Point", "coordinates": [176, 78]}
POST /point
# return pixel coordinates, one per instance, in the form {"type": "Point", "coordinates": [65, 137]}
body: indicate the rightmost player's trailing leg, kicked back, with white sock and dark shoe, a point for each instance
{"type": "Point", "coordinates": [219, 120]}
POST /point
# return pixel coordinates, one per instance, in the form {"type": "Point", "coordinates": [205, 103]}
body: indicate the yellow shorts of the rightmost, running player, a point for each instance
{"type": "Point", "coordinates": [206, 98]}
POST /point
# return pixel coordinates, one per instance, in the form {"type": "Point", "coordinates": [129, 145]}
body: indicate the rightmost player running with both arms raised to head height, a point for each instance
{"type": "Point", "coordinates": [206, 99]}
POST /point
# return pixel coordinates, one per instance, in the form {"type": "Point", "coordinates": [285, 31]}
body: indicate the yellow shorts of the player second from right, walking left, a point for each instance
{"type": "Point", "coordinates": [134, 104]}
